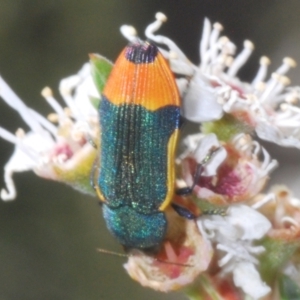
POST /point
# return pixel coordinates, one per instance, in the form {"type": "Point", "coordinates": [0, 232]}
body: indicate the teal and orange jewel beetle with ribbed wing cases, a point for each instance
{"type": "Point", "coordinates": [139, 117]}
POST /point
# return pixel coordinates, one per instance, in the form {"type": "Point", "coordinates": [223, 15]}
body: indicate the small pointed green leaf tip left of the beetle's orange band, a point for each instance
{"type": "Point", "coordinates": [100, 68]}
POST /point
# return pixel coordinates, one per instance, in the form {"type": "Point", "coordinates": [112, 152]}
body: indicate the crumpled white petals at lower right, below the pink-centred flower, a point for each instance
{"type": "Point", "coordinates": [234, 235]}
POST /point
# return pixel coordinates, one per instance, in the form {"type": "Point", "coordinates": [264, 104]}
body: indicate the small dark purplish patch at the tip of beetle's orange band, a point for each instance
{"type": "Point", "coordinates": [141, 53]}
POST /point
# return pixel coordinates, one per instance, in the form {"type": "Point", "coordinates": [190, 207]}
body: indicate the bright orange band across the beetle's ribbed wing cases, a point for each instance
{"type": "Point", "coordinates": [151, 85]}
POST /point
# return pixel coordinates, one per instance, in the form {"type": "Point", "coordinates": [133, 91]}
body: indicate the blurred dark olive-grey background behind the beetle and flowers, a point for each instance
{"type": "Point", "coordinates": [49, 235]}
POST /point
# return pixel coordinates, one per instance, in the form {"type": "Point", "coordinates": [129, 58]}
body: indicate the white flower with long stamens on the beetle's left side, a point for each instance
{"type": "Point", "coordinates": [48, 149]}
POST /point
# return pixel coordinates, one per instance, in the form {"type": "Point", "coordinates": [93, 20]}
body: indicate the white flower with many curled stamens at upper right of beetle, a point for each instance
{"type": "Point", "coordinates": [213, 88]}
